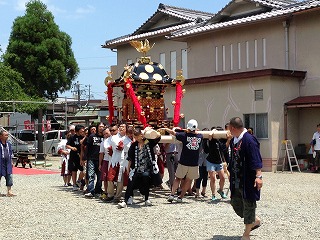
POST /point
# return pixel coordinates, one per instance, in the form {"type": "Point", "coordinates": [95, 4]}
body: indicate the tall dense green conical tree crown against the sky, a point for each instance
{"type": "Point", "coordinates": [41, 53]}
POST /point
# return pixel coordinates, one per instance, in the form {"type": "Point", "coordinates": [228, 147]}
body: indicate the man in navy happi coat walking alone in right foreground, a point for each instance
{"type": "Point", "coordinates": [245, 175]}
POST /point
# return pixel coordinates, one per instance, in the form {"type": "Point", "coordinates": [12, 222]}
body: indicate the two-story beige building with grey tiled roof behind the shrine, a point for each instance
{"type": "Point", "coordinates": [256, 59]}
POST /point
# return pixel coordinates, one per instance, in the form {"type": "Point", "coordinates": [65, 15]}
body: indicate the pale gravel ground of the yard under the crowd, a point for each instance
{"type": "Point", "coordinates": [44, 209]}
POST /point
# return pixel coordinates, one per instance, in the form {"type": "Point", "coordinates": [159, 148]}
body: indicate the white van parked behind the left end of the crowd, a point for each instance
{"type": "Point", "coordinates": [54, 140]}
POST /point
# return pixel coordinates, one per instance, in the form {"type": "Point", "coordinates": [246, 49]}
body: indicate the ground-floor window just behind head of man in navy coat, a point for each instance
{"type": "Point", "coordinates": [259, 123]}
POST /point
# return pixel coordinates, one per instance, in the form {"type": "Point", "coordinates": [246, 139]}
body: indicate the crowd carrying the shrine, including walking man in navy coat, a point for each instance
{"type": "Point", "coordinates": [101, 160]}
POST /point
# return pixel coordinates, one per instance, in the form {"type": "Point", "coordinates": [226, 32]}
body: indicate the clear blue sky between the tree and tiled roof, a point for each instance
{"type": "Point", "coordinates": [90, 23]}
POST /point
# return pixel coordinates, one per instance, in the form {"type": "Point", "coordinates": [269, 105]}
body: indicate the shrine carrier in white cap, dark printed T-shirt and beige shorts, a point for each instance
{"type": "Point", "coordinates": [188, 163]}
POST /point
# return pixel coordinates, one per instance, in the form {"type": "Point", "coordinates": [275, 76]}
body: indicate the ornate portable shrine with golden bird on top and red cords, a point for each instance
{"type": "Point", "coordinates": [144, 84]}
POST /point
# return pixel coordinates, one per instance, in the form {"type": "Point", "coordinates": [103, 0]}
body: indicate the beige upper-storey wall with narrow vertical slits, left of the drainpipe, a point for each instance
{"type": "Point", "coordinates": [202, 54]}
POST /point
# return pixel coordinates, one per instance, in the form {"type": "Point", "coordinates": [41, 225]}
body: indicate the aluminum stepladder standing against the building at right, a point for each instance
{"type": "Point", "coordinates": [290, 156]}
